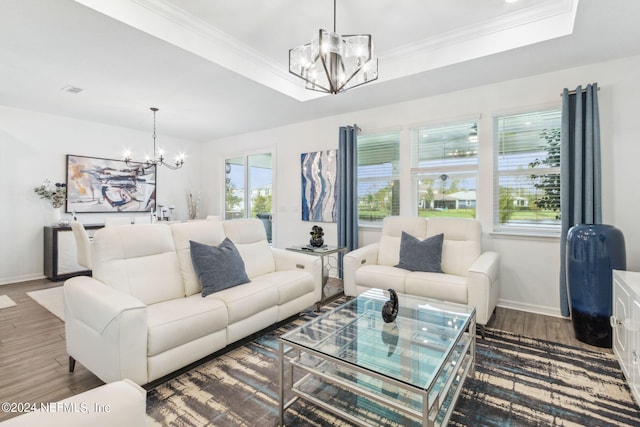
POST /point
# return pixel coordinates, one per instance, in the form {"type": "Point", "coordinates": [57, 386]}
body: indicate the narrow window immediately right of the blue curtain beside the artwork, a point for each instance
{"type": "Point", "coordinates": [378, 177]}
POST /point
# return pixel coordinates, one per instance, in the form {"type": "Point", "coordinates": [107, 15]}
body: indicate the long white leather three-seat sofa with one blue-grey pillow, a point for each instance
{"type": "Point", "coordinates": [142, 315]}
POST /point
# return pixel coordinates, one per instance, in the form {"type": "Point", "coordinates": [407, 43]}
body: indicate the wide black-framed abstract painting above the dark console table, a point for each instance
{"type": "Point", "coordinates": [107, 185]}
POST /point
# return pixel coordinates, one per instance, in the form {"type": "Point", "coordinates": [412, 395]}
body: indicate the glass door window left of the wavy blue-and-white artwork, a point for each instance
{"type": "Point", "coordinates": [248, 188]}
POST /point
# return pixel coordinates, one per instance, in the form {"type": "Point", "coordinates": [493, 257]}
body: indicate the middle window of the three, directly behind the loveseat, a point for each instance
{"type": "Point", "coordinates": [444, 169]}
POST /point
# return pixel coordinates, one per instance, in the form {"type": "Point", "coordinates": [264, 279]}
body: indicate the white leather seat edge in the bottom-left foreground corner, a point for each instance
{"type": "Point", "coordinates": [120, 403]}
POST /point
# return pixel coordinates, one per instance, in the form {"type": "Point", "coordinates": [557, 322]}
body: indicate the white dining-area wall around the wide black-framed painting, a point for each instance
{"type": "Point", "coordinates": [33, 147]}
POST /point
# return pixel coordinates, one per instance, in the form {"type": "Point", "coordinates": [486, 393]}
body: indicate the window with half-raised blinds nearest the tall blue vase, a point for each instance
{"type": "Point", "coordinates": [527, 191]}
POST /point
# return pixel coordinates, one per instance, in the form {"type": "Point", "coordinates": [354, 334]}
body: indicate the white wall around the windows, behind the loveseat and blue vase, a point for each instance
{"type": "Point", "coordinates": [529, 266]}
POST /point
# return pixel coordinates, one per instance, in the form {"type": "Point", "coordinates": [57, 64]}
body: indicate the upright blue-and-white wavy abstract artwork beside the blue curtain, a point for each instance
{"type": "Point", "coordinates": [319, 185]}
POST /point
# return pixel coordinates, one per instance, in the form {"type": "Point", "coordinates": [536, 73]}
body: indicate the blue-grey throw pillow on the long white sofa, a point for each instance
{"type": "Point", "coordinates": [218, 267]}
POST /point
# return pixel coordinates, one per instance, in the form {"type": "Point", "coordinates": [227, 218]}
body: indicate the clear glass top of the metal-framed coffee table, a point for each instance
{"type": "Point", "coordinates": [413, 349]}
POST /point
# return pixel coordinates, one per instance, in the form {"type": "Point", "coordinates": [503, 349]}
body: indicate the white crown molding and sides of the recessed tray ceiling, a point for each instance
{"type": "Point", "coordinates": [166, 21]}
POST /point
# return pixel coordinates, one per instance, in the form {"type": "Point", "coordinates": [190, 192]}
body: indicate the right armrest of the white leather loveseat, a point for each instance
{"type": "Point", "coordinates": [483, 285]}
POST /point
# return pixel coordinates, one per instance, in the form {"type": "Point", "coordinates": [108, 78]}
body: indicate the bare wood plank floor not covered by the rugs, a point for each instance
{"type": "Point", "coordinates": [34, 362]}
